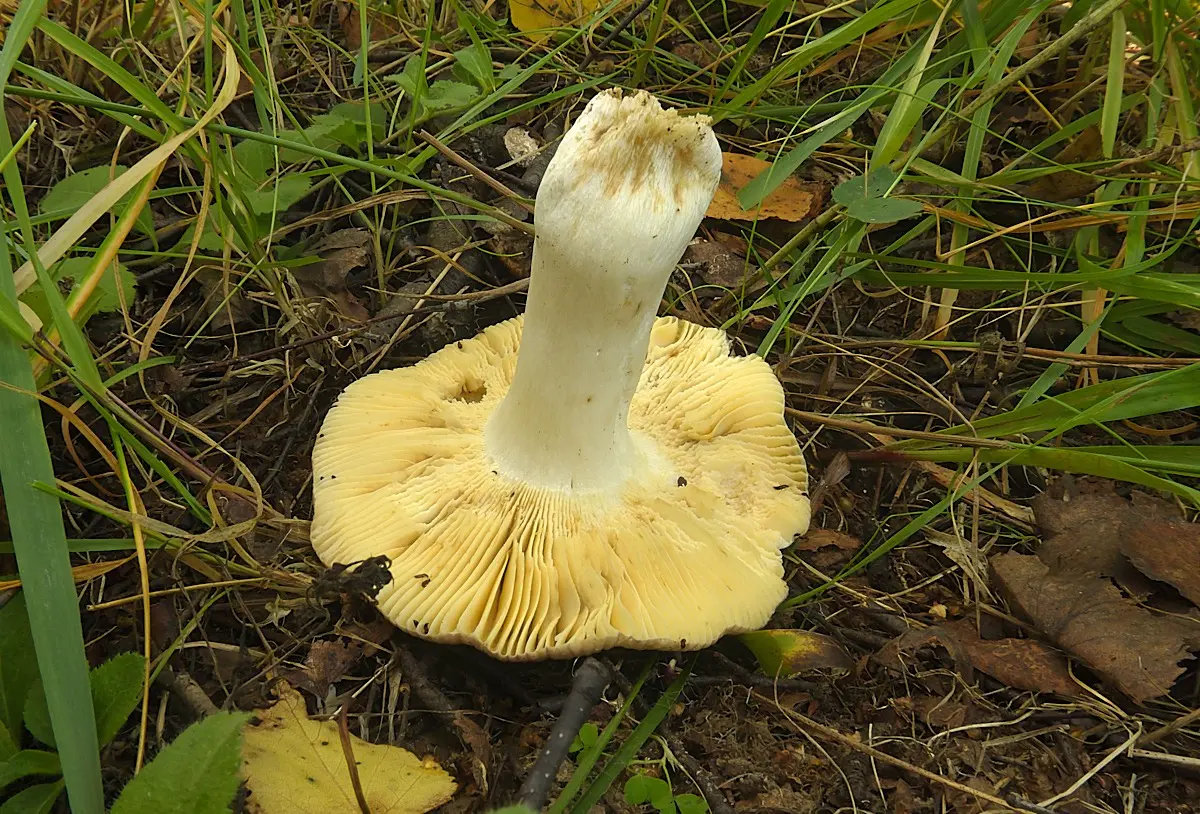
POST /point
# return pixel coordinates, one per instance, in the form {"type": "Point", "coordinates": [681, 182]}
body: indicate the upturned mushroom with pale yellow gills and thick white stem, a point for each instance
{"type": "Point", "coordinates": [586, 476]}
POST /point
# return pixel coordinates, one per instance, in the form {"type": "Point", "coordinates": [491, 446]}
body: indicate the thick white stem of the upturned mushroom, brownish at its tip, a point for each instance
{"type": "Point", "coordinates": [620, 202]}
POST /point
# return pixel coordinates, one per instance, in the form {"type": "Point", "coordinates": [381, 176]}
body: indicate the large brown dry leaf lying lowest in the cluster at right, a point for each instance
{"type": "Point", "coordinates": [1089, 618]}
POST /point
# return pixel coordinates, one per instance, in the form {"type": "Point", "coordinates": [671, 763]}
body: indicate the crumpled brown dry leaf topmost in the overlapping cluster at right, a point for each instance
{"type": "Point", "coordinates": [1085, 530]}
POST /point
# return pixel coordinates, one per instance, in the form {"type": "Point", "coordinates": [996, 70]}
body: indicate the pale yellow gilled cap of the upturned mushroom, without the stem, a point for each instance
{"type": "Point", "coordinates": [683, 553]}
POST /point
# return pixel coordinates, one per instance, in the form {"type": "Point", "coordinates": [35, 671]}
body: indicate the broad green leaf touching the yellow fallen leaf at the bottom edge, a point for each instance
{"type": "Point", "coordinates": [196, 774]}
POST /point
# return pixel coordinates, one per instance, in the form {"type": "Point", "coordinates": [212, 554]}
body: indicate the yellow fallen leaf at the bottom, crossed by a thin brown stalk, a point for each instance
{"type": "Point", "coordinates": [295, 765]}
